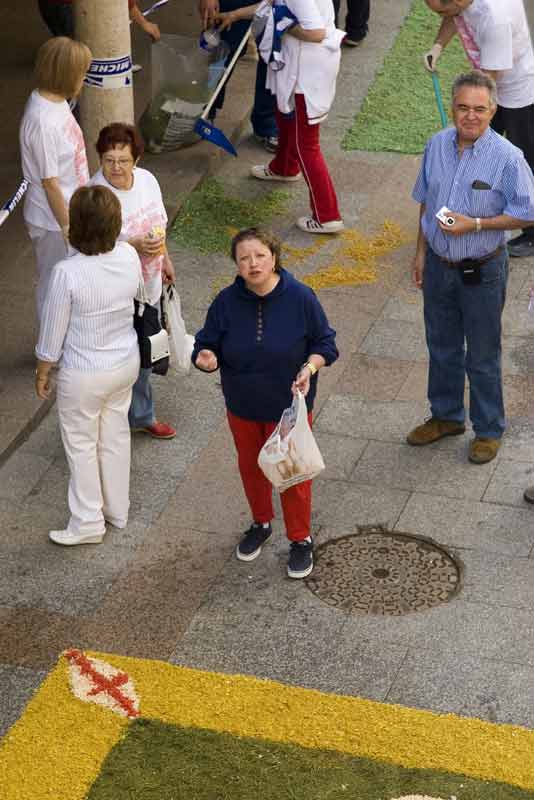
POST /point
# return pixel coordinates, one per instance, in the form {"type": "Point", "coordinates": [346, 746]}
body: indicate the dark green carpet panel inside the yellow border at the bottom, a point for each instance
{"type": "Point", "coordinates": [158, 761]}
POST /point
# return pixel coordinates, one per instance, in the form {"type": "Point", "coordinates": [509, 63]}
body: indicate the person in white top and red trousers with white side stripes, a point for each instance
{"type": "Point", "coordinates": [305, 88]}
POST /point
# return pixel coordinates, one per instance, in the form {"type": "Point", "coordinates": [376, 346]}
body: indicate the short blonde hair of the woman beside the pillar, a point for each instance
{"type": "Point", "coordinates": [61, 64]}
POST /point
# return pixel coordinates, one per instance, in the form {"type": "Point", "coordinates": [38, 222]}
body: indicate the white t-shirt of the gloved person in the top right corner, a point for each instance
{"type": "Point", "coordinates": [496, 37]}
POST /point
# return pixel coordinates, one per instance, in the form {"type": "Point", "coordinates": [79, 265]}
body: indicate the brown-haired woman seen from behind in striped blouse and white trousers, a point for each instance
{"type": "Point", "coordinates": [87, 326]}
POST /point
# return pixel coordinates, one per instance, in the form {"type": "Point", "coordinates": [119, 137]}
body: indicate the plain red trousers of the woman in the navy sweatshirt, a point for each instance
{"type": "Point", "coordinates": [249, 437]}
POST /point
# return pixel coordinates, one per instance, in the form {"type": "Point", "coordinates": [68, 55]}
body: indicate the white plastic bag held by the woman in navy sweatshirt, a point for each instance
{"type": "Point", "coordinates": [291, 455]}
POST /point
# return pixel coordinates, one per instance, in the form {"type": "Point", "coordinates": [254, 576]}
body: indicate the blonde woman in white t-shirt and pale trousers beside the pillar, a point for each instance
{"type": "Point", "coordinates": [53, 152]}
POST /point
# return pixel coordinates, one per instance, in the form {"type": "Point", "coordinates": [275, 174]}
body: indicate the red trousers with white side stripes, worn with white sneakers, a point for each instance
{"type": "Point", "coordinates": [299, 149]}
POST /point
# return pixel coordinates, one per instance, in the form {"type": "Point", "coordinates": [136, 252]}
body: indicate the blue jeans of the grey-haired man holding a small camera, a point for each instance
{"type": "Point", "coordinates": [463, 334]}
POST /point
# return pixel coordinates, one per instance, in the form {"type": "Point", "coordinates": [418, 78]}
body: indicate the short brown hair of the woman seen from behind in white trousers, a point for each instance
{"type": "Point", "coordinates": [95, 220]}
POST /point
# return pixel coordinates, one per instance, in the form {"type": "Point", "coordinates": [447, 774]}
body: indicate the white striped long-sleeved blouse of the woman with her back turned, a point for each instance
{"type": "Point", "coordinates": [87, 317]}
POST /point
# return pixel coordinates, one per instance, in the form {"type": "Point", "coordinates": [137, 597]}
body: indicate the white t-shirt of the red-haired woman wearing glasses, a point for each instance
{"type": "Point", "coordinates": [142, 210]}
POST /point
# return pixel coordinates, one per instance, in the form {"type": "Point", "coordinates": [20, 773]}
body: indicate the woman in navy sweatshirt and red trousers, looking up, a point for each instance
{"type": "Point", "coordinates": [269, 336]}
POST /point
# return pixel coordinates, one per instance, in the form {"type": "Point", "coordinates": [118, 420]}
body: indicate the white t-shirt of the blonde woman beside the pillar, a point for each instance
{"type": "Point", "coordinates": [51, 146]}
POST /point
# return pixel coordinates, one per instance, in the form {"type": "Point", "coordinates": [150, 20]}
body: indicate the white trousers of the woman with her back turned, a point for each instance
{"type": "Point", "coordinates": [93, 417]}
